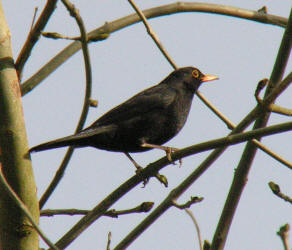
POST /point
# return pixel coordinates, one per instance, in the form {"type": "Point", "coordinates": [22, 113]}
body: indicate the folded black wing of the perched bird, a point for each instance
{"type": "Point", "coordinates": [157, 97]}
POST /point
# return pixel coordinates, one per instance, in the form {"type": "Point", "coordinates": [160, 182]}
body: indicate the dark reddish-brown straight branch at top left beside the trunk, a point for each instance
{"type": "Point", "coordinates": [34, 35]}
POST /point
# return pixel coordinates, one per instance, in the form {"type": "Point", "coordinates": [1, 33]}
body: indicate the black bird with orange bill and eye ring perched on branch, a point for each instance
{"type": "Point", "coordinates": [145, 121]}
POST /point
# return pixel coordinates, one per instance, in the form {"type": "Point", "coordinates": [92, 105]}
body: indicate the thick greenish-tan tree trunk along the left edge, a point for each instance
{"type": "Point", "coordinates": [15, 230]}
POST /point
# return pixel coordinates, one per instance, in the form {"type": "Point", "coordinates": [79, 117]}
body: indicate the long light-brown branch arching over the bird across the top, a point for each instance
{"type": "Point", "coordinates": [165, 10]}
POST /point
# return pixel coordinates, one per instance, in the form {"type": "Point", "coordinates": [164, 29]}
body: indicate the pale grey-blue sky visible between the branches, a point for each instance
{"type": "Point", "coordinates": [240, 52]}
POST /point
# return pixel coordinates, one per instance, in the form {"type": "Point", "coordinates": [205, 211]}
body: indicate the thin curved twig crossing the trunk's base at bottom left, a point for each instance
{"type": "Point", "coordinates": [24, 209]}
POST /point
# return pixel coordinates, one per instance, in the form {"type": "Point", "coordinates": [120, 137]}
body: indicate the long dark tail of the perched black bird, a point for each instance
{"type": "Point", "coordinates": [81, 139]}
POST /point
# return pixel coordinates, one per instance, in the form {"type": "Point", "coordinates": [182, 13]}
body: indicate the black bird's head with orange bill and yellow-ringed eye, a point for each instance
{"type": "Point", "coordinates": [192, 78]}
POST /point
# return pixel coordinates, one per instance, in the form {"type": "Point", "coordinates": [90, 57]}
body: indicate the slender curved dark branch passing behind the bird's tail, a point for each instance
{"type": "Point", "coordinates": [86, 104]}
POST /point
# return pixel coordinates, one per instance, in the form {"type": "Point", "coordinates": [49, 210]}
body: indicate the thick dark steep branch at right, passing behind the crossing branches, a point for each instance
{"type": "Point", "coordinates": [249, 153]}
